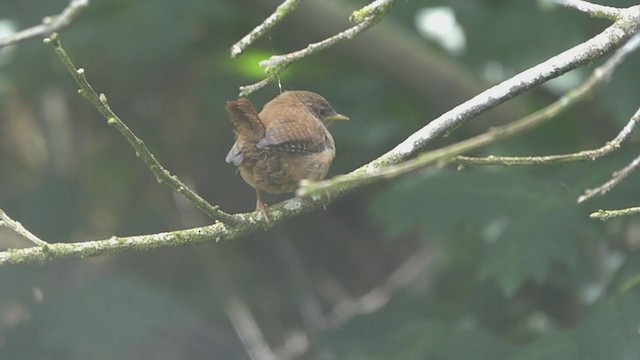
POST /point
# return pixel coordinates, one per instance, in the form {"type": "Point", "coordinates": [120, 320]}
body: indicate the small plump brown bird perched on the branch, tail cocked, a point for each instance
{"type": "Point", "coordinates": [287, 142]}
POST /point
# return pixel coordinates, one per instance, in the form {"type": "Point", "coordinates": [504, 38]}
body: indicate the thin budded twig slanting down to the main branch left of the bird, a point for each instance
{"type": "Point", "coordinates": [162, 175]}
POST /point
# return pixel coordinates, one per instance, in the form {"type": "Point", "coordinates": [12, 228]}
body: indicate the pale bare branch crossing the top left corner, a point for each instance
{"type": "Point", "coordinates": [50, 24]}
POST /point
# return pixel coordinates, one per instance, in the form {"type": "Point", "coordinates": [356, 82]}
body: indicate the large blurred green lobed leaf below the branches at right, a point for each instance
{"type": "Point", "coordinates": [528, 223]}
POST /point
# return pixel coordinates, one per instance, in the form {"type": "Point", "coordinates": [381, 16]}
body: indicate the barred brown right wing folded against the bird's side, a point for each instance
{"type": "Point", "coordinates": [304, 135]}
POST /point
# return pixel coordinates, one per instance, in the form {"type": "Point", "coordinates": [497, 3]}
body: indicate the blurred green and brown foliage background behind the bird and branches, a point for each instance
{"type": "Point", "coordinates": [519, 270]}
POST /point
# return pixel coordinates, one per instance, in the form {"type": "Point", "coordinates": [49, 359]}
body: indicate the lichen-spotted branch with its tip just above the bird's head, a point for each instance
{"type": "Point", "coordinates": [275, 65]}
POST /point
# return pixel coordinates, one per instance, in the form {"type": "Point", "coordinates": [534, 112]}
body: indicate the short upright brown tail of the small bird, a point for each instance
{"type": "Point", "coordinates": [245, 119]}
